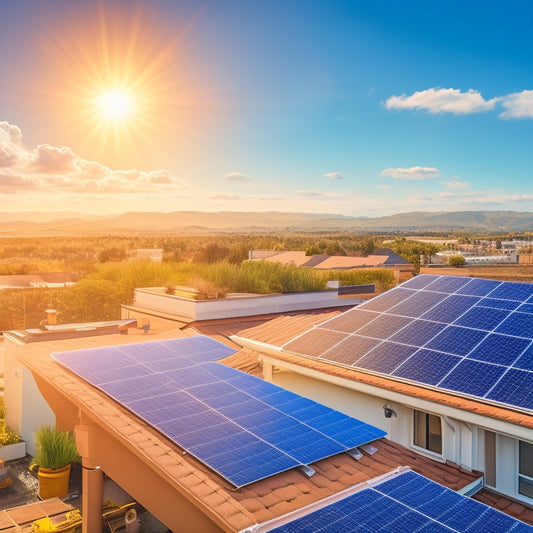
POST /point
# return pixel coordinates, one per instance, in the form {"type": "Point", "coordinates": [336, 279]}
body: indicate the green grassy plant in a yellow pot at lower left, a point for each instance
{"type": "Point", "coordinates": [54, 452]}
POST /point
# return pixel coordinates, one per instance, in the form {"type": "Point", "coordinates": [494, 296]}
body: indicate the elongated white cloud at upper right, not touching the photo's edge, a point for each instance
{"type": "Point", "coordinates": [442, 101]}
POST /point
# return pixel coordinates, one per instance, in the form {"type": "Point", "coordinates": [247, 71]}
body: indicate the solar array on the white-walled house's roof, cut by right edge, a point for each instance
{"type": "Point", "coordinates": [470, 336]}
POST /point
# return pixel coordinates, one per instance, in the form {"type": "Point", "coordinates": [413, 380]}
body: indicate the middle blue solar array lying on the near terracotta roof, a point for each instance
{"type": "Point", "coordinates": [241, 426]}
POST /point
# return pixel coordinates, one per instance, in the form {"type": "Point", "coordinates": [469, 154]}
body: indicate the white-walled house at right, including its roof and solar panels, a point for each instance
{"type": "Point", "coordinates": [443, 364]}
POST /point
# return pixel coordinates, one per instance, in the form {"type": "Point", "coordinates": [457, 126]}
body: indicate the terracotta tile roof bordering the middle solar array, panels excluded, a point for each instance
{"type": "Point", "coordinates": [233, 509]}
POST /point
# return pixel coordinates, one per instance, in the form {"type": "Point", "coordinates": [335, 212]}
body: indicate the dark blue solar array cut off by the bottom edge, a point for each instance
{"type": "Point", "coordinates": [407, 502]}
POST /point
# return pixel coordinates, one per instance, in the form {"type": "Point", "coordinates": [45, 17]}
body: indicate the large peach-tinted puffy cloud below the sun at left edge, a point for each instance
{"type": "Point", "coordinates": [52, 169]}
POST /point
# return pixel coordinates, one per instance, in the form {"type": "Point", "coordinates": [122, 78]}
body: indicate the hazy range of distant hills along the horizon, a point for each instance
{"type": "Point", "coordinates": [196, 222]}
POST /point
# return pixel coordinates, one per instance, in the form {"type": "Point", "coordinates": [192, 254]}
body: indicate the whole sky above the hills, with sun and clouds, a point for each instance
{"type": "Point", "coordinates": [362, 108]}
